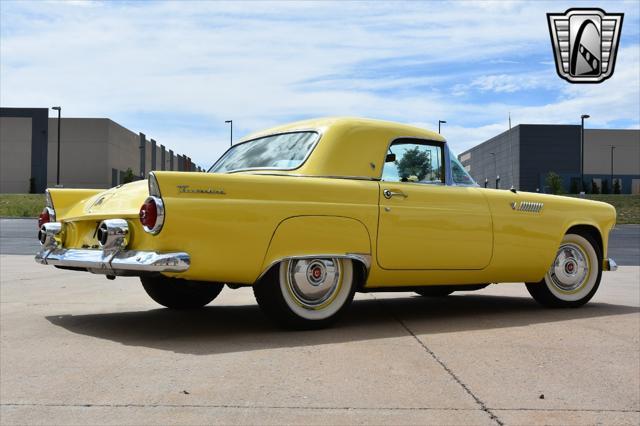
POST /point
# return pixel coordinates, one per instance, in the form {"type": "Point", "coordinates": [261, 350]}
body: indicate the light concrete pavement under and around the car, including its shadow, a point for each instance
{"type": "Point", "coordinates": [77, 349]}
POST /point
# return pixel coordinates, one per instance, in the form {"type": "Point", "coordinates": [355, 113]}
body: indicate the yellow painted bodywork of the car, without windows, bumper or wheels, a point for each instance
{"type": "Point", "coordinates": [437, 235]}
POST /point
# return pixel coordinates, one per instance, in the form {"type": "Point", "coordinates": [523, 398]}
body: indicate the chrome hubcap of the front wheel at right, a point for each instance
{"type": "Point", "coordinates": [570, 269]}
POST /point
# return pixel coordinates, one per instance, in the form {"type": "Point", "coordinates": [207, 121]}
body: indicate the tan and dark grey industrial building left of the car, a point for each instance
{"type": "Point", "coordinates": [94, 152]}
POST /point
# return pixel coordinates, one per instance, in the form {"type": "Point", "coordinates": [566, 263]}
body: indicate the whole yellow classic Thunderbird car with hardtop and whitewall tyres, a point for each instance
{"type": "Point", "coordinates": [311, 212]}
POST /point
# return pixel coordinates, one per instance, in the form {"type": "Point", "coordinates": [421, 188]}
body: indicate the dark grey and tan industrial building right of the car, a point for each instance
{"type": "Point", "coordinates": [523, 156]}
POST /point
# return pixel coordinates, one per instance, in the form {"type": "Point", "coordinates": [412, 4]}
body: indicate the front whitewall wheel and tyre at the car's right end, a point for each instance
{"type": "Point", "coordinates": [574, 275]}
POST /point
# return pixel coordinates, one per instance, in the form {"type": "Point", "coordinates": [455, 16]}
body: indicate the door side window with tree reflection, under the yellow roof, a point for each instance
{"type": "Point", "coordinates": [414, 161]}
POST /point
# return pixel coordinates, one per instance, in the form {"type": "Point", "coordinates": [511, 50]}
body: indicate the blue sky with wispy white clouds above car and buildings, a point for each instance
{"type": "Point", "coordinates": [177, 70]}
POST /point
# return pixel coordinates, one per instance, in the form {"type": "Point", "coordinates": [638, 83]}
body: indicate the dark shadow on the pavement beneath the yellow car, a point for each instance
{"type": "Point", "coordinates": [224, 329]}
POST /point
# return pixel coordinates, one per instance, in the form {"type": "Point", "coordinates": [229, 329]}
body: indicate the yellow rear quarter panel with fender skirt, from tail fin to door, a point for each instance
{"type": "Point", "coordinates": [228, 231]}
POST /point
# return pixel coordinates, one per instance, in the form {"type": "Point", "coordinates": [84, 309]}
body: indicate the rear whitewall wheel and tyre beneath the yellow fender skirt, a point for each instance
{"type": "Point", "coordinates": [306, 293]}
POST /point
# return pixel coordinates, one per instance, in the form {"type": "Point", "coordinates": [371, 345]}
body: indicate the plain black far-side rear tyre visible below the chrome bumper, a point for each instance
{"type": "Point", "coordinates": [175, 293]}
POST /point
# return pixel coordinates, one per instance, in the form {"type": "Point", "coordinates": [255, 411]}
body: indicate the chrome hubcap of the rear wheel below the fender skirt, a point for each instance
{"type": "Point", "coordinates": [313, 281]}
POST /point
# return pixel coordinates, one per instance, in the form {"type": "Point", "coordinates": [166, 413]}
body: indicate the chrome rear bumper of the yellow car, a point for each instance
{"type": "Point", "coordinates": [119, 262]}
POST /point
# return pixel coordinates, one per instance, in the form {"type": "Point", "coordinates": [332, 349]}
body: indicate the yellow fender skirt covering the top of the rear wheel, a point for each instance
{"type": "Point", "coordinates": [318, 235]}
